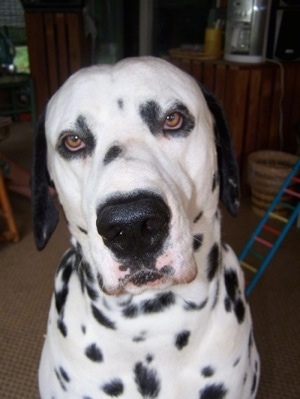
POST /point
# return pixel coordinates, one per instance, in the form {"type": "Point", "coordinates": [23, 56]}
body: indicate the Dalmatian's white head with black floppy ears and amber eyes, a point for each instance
{"type": "Point", "coordinates": [139, 155]}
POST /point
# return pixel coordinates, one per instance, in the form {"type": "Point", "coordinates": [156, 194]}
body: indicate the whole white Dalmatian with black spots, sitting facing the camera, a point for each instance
{"type": "Point", "coordinates": [148, 301]}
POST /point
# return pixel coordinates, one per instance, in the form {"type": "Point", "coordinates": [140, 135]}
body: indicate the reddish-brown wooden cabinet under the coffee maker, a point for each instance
{"type": "Point", "coordinates": [262, 102]}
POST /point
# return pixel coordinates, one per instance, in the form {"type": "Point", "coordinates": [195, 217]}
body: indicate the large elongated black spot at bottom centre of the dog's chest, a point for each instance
{"type": "Point", "coordinates": [147, 381]}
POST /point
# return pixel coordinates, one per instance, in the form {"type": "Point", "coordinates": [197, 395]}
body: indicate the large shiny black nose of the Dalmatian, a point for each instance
{"type": "Point", "coordinates": [134, 226]}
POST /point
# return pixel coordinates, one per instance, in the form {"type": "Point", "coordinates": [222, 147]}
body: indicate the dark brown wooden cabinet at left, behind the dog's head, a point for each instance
{"type": "Point", "coordinates": [57, 47]}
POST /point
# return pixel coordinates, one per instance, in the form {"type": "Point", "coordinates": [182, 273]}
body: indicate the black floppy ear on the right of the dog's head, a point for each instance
{"type": "Point", "coordinates": [227, 164]}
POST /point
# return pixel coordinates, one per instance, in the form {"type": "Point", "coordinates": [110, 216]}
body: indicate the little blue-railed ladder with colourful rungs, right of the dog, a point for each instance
{"type": "Point", "coordinates": [277, 233]}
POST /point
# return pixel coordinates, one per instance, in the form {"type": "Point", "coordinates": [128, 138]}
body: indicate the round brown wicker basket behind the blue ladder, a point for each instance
{"type": "Point", "coordinates": [267, 171]}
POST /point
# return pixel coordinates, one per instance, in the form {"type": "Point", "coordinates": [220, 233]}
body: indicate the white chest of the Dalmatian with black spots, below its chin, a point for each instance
{"type": "Point", "coordinates": [155, 346]}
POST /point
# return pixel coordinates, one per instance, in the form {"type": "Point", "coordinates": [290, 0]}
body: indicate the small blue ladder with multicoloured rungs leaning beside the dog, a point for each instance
{"type": "Point", "coordinates": [272, 214]}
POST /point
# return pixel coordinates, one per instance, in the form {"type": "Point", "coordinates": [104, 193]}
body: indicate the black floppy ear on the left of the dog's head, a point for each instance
{"type": "Point", "coordinates": [44, 213]}
